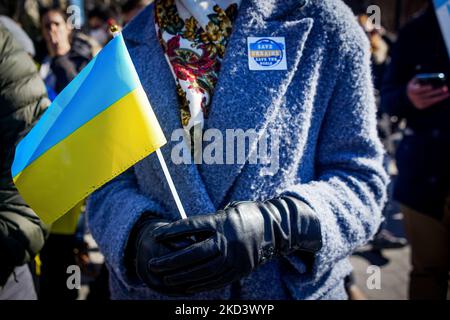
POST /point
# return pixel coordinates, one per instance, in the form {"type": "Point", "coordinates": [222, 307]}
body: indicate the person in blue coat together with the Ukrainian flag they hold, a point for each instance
{"type": "Point", "coordinates": [294, 72]}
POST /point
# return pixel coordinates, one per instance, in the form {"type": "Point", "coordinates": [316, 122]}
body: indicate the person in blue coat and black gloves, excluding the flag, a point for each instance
{"type": "Point", "coordinates": [297, 71]}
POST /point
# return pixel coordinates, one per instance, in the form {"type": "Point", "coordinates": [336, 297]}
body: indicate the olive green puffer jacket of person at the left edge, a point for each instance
{"type": "Point", "coordinates": [22, 101]}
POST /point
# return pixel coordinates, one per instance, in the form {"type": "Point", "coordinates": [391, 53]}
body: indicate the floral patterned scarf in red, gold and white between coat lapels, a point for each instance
{"type": "Point", "coordinates": [194, 35]}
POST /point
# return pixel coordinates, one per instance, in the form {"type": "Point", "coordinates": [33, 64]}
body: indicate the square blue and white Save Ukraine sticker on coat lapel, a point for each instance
{"type": "Point", "coordinates": [266, 53]}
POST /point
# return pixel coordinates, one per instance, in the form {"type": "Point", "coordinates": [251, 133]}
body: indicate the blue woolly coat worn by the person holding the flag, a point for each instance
{"type": "Point", "coordinates": [322, 112]}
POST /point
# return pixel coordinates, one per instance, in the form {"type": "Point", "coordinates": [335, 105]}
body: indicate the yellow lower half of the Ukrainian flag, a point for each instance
{"type": "Point", "coordinates": [101, 149]}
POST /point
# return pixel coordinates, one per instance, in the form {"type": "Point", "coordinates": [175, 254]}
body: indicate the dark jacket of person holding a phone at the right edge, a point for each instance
{"type": "Point", "coordinates": [423, 157]}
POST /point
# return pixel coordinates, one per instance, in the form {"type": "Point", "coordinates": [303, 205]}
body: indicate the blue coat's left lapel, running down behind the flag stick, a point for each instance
{"type": "Point", "coordinates": [157, 80]}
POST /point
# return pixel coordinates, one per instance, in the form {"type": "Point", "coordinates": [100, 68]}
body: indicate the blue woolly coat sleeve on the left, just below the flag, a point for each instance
{"type": "Point", "coordinates": [112, 212]}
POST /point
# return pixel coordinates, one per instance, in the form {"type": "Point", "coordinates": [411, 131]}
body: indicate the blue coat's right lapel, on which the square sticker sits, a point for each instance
{"type": "Point", "coordinates": [246, 99]}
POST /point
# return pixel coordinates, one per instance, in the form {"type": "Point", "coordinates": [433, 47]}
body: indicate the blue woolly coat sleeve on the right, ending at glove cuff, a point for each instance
{"type": "Point", "coordinates": [349, 190]}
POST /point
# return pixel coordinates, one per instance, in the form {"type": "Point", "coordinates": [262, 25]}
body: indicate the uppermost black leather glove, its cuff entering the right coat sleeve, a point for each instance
{"type": "Point", "coordinates": [232, 243]}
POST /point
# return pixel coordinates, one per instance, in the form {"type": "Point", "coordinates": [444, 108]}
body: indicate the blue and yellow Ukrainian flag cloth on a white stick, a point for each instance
{"type": "Point", "coordinates": [97, 127]}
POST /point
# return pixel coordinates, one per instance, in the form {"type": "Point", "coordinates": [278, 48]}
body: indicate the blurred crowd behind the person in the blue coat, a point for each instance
{"type": "Point", "coordinates": [411, 114]}
